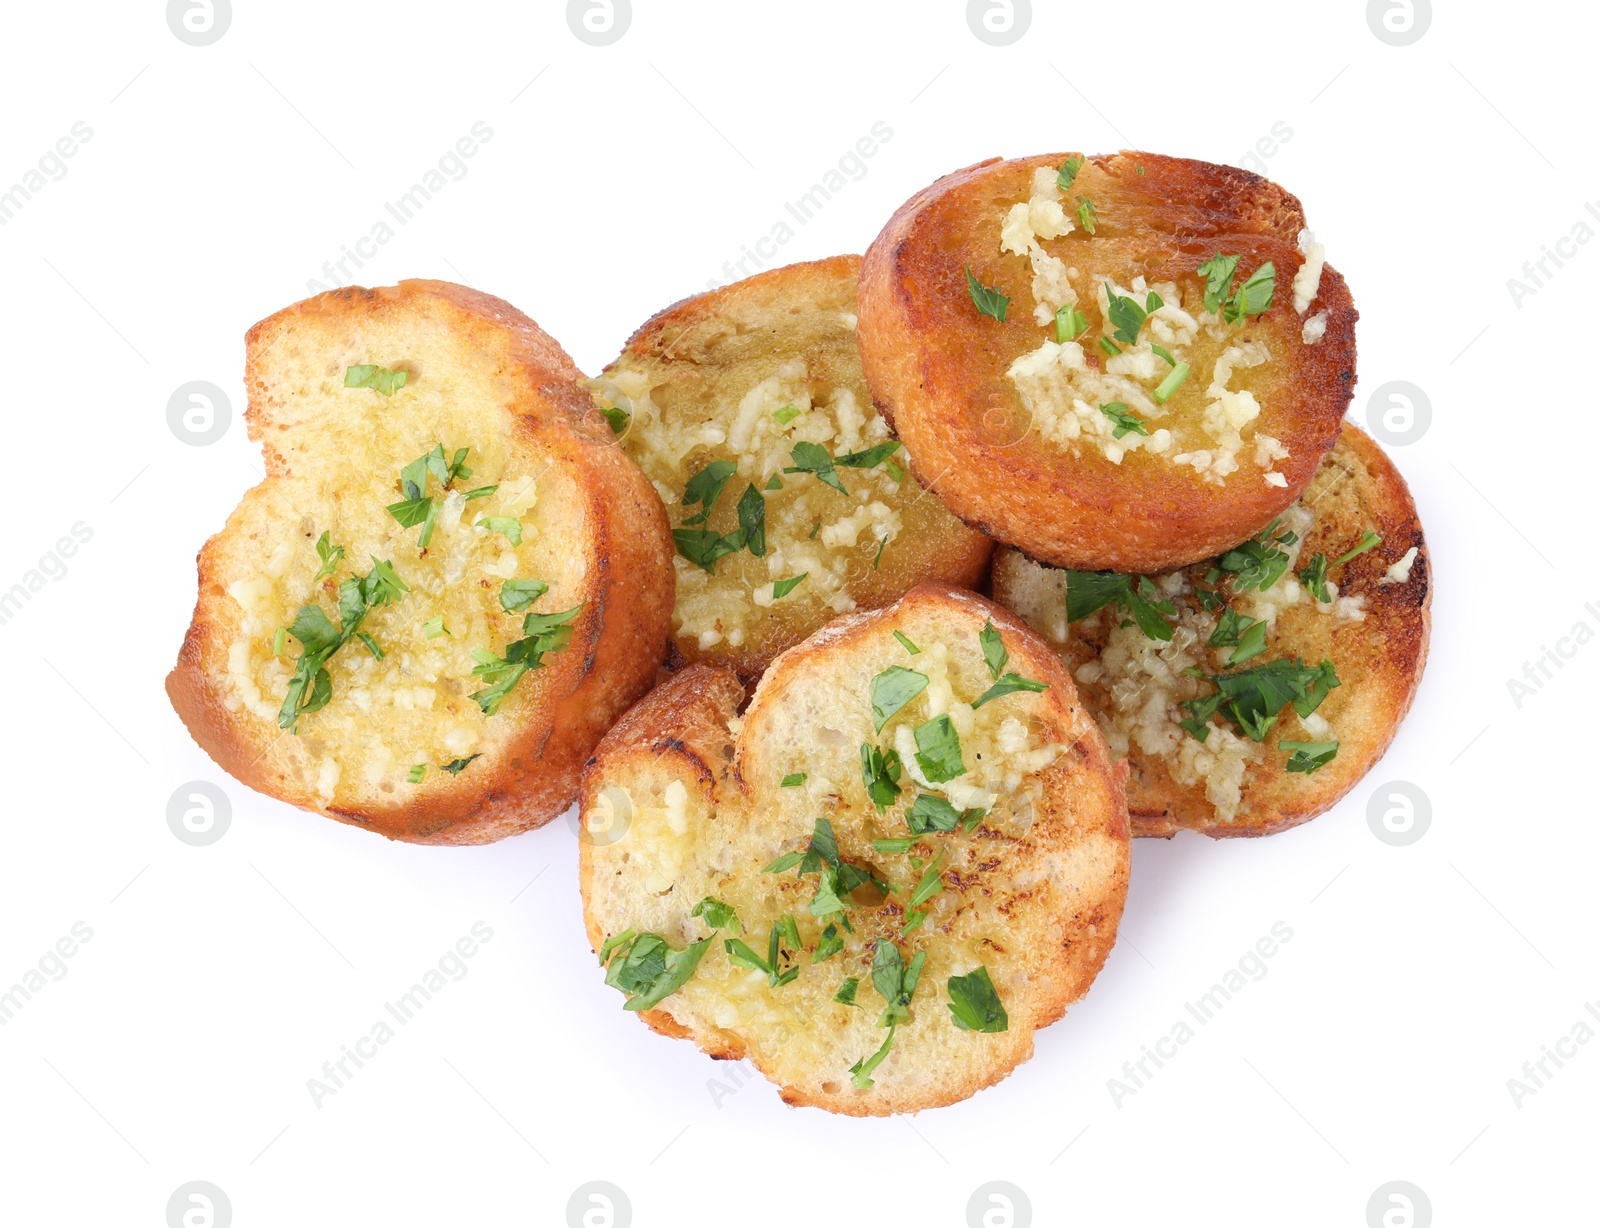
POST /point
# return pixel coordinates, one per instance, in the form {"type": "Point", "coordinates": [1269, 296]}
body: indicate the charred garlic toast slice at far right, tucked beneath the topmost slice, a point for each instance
{"type": "Point", "coordinates": [1374, 629]}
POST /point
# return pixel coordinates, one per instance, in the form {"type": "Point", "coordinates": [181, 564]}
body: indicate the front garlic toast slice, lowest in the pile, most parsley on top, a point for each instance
{"type": "Point", "coordinates": [868, 954]}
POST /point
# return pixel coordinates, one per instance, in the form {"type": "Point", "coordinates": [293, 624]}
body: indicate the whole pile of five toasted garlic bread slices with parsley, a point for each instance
{"type": "Point", "coordinates": [866, 608]}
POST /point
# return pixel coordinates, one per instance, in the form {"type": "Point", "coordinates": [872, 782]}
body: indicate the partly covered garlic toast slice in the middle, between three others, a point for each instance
{"type": "Point", "coordinates": [721, 401]}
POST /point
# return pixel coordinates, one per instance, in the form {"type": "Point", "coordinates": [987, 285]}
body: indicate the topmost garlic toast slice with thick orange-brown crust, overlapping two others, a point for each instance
{"type": "Point", "coordinates": [1167, 372]}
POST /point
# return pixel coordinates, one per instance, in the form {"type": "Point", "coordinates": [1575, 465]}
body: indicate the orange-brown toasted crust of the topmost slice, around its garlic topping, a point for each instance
{"type": "Point", "coordinates": [938, 369]}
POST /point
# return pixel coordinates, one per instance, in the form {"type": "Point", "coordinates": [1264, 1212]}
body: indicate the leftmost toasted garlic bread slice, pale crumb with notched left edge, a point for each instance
{"type": "Point", "coordinates": [399, 744]}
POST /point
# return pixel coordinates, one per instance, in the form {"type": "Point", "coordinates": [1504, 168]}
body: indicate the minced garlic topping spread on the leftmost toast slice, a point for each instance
{"type": "Point", "coordinates": [414, 706]}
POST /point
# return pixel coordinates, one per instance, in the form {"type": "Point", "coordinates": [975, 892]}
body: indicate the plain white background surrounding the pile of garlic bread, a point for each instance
{"type": "Point", "coordinates": [218, 981]}
